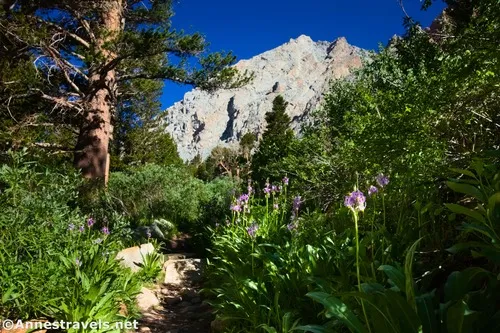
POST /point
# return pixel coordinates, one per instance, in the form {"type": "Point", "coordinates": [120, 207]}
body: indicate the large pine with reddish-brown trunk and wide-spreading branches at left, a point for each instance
{"type": "Point", "coordinates": [88, 56]}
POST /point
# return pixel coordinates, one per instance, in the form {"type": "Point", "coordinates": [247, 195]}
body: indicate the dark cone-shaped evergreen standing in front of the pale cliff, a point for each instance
{"type": "Point", "coordinates": [275, 143]}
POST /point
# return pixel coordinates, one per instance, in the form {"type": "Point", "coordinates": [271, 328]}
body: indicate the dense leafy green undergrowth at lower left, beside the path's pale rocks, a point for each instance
{"type": "Point", "coordinates": [55, 261]}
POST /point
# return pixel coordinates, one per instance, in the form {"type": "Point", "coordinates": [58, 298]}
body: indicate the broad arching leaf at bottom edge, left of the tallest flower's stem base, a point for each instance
{"type": "Point", "coordinates": [339, 310]}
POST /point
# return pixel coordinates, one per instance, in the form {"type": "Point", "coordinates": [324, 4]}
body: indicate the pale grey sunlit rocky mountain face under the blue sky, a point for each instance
{"type": "Point", "coordinates": [299, 70]}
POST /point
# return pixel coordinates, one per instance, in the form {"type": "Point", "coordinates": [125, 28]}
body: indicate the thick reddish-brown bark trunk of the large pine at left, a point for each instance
{"type": "Point", "coordinates": [91, 151]}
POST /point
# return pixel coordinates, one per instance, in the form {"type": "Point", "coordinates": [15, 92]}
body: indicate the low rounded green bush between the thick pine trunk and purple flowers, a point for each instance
{"type": "Point", "coordinates": [153, 192]}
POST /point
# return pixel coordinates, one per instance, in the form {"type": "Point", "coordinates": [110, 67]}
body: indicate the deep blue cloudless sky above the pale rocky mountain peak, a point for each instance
{"type": "Point", "coordinates": [251, 27]}
